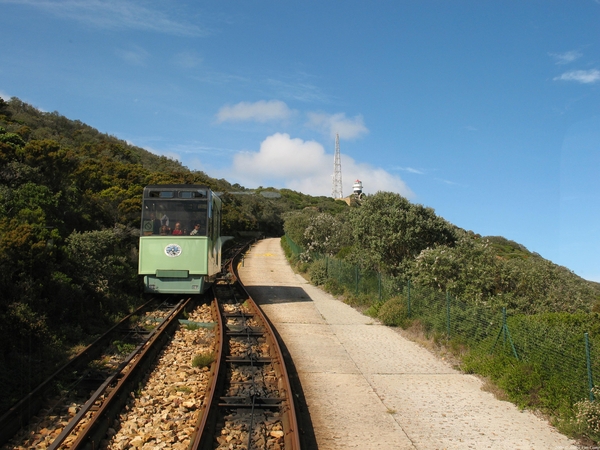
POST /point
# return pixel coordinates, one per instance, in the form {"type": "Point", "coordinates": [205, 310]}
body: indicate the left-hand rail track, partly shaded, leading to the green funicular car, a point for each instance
{"type": "Point", "coordinates": [93, 383]}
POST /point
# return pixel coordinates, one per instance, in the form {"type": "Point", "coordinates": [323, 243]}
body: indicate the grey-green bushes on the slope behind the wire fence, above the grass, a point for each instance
{"type": "Point", "coordinates": [391, 235]}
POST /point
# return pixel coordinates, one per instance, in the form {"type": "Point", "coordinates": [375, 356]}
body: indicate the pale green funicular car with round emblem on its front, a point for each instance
{"type": "Point", "coordinates": [180, 241]}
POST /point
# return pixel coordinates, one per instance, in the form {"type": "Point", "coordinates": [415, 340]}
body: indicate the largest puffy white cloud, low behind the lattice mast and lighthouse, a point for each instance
{"type": "Point", "coordinates": [304, 166]}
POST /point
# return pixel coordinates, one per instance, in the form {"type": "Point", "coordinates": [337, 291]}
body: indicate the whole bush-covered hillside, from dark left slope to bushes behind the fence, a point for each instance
{"type": "Point", "coordinates": [69, 225]}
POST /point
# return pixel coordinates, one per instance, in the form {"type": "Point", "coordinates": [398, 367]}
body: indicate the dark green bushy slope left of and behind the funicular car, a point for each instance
{"type": "Point", "coordinates": [70, 200]}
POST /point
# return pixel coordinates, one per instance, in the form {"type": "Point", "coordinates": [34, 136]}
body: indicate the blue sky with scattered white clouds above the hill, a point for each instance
{"type": "Point", "coordinates": [486, 111]}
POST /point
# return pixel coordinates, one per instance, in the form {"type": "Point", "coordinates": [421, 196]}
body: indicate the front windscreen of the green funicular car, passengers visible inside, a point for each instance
{"type": "Point", "coordinates": [175, 217]}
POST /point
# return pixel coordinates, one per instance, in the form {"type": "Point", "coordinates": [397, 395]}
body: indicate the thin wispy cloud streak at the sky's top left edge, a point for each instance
{"type": "Point", "coordinates": [113, 14]}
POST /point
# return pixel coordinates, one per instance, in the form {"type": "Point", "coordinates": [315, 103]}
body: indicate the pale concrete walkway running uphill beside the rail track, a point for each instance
{"type": "Point", "coordinates": [367, 387]}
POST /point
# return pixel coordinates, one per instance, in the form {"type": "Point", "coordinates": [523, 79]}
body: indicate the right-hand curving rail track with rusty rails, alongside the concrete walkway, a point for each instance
{"type": "Point", "coordinates": [252, 404]}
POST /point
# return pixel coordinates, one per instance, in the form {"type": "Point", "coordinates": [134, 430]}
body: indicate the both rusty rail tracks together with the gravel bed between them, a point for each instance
{"type": "Point", "coordinates": [206, 377]}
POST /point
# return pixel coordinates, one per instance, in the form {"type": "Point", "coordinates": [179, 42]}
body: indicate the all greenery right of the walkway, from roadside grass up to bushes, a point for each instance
{"type": "Point", "coordinates": [410, 268]}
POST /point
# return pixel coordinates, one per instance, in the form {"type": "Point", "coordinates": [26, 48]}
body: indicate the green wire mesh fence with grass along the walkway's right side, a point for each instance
{"type": "Point", "coordinates": [544, 359]}
